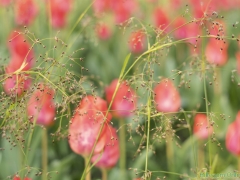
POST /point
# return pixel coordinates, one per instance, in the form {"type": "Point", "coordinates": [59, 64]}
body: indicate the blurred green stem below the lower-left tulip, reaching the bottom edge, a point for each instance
{"type": "Point", "coordinates": [44, 154]}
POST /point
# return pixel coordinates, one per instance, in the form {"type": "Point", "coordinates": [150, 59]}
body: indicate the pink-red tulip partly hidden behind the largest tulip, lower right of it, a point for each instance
{"type": "Point", "coordinates": [110, 155]}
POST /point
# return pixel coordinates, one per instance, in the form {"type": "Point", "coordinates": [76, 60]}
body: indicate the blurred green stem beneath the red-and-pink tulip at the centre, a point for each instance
{"type": "Point", "coordinates": [122, 136]}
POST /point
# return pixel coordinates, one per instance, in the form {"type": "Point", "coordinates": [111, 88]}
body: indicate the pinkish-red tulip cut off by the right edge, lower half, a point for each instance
{"type": "Point", "coordinates": [233, 136]}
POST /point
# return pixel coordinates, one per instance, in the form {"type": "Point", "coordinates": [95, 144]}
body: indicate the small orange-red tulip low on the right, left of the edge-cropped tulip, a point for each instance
{"type": "Point", "coordinates": [201, 128]}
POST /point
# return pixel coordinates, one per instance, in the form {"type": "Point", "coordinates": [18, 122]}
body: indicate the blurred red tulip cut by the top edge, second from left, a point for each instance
{"type": "Point", "coordinates": [59, 10]}
